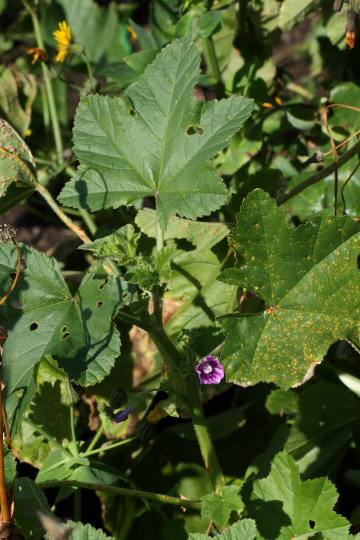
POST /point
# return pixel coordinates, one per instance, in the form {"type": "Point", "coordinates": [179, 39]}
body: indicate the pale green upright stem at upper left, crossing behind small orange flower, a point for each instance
{"type": "Point", "coordinates": [48, 85]}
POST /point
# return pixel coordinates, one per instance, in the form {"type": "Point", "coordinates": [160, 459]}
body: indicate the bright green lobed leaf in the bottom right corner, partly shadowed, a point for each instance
{"type": "Point", "coordinates": [286, 507]}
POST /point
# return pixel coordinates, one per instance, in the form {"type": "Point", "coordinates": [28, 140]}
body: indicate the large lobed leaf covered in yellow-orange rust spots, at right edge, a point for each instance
{"type": "Point", "coordinates": [310, 280]}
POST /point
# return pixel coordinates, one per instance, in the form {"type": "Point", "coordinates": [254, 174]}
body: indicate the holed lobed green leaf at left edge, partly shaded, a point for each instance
{"type": "Point", "coordinates": [43, 317]}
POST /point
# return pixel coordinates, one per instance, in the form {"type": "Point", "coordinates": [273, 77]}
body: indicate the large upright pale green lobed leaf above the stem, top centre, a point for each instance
{"type": "Point", "coordinates": [158, 140]}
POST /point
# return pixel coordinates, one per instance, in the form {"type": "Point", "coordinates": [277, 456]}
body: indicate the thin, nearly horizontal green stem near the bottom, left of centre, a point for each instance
{"type": "Point", "coordinates": [165, 499]}
